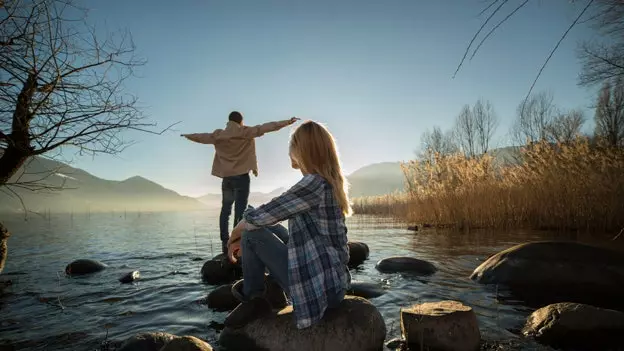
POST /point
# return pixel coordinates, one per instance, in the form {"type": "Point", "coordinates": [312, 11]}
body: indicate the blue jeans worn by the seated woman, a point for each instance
{"type": "Point", "coordinates": [265, 249]}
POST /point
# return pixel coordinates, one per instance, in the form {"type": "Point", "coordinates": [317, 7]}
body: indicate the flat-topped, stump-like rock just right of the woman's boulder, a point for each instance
{"type": "Point", "coordinates": [443, 325]}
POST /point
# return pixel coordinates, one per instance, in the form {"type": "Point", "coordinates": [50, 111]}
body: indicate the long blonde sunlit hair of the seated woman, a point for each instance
{"type": "Point", "coordinates": [314, 150]}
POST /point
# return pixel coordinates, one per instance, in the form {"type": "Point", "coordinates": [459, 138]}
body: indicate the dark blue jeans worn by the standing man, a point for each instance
{"type": "Point", "coordinates": [234, 191]}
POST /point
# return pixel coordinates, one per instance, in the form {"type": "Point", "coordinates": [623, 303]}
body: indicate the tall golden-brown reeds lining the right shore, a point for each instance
{"type": "Point", "coordinates": [574, 186]}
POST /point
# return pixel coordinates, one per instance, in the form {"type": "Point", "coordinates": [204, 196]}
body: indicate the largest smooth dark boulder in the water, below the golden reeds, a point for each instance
{"type": "Point", "coordinates": [554, 271]}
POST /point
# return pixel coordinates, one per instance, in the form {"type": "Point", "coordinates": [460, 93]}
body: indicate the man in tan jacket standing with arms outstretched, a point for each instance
{"type": "Point", "coordinates": [235, 157]}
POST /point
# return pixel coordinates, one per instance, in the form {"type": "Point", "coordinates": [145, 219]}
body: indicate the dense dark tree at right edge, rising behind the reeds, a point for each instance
{"type": "Point", "coordinates": [609, 115]}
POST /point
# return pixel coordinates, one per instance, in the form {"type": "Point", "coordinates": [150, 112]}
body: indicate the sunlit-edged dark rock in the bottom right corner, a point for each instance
{"type": "Point", "coordinates": [576, 326]}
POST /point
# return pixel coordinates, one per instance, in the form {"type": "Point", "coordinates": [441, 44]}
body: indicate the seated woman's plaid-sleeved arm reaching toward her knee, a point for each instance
{"type": "Point", "coordinates": [302, 197]}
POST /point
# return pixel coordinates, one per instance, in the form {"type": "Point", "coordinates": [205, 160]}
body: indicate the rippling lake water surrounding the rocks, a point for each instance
{"type": "Point", "coordinates": [45, 310]}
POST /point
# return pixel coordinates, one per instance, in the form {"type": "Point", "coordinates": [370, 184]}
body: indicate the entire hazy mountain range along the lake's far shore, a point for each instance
{"type": "Point", "coordinates": [84, 192]}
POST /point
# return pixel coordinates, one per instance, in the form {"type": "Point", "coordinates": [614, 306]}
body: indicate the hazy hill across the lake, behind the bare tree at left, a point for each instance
{"type": "Point", "coordinates": [83, 192]}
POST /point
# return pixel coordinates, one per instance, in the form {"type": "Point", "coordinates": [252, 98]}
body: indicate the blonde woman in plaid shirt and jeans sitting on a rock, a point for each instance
{"type": "Point", "coordinates": [311, 266]}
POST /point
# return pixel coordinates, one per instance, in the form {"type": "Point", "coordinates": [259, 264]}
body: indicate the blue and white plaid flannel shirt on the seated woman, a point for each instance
{"type": "Point", "coordinates": [317, 246]}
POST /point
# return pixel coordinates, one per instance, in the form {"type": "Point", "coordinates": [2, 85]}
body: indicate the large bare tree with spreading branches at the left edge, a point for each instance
{"type": "Point", "coordinates": [61, 85]}
